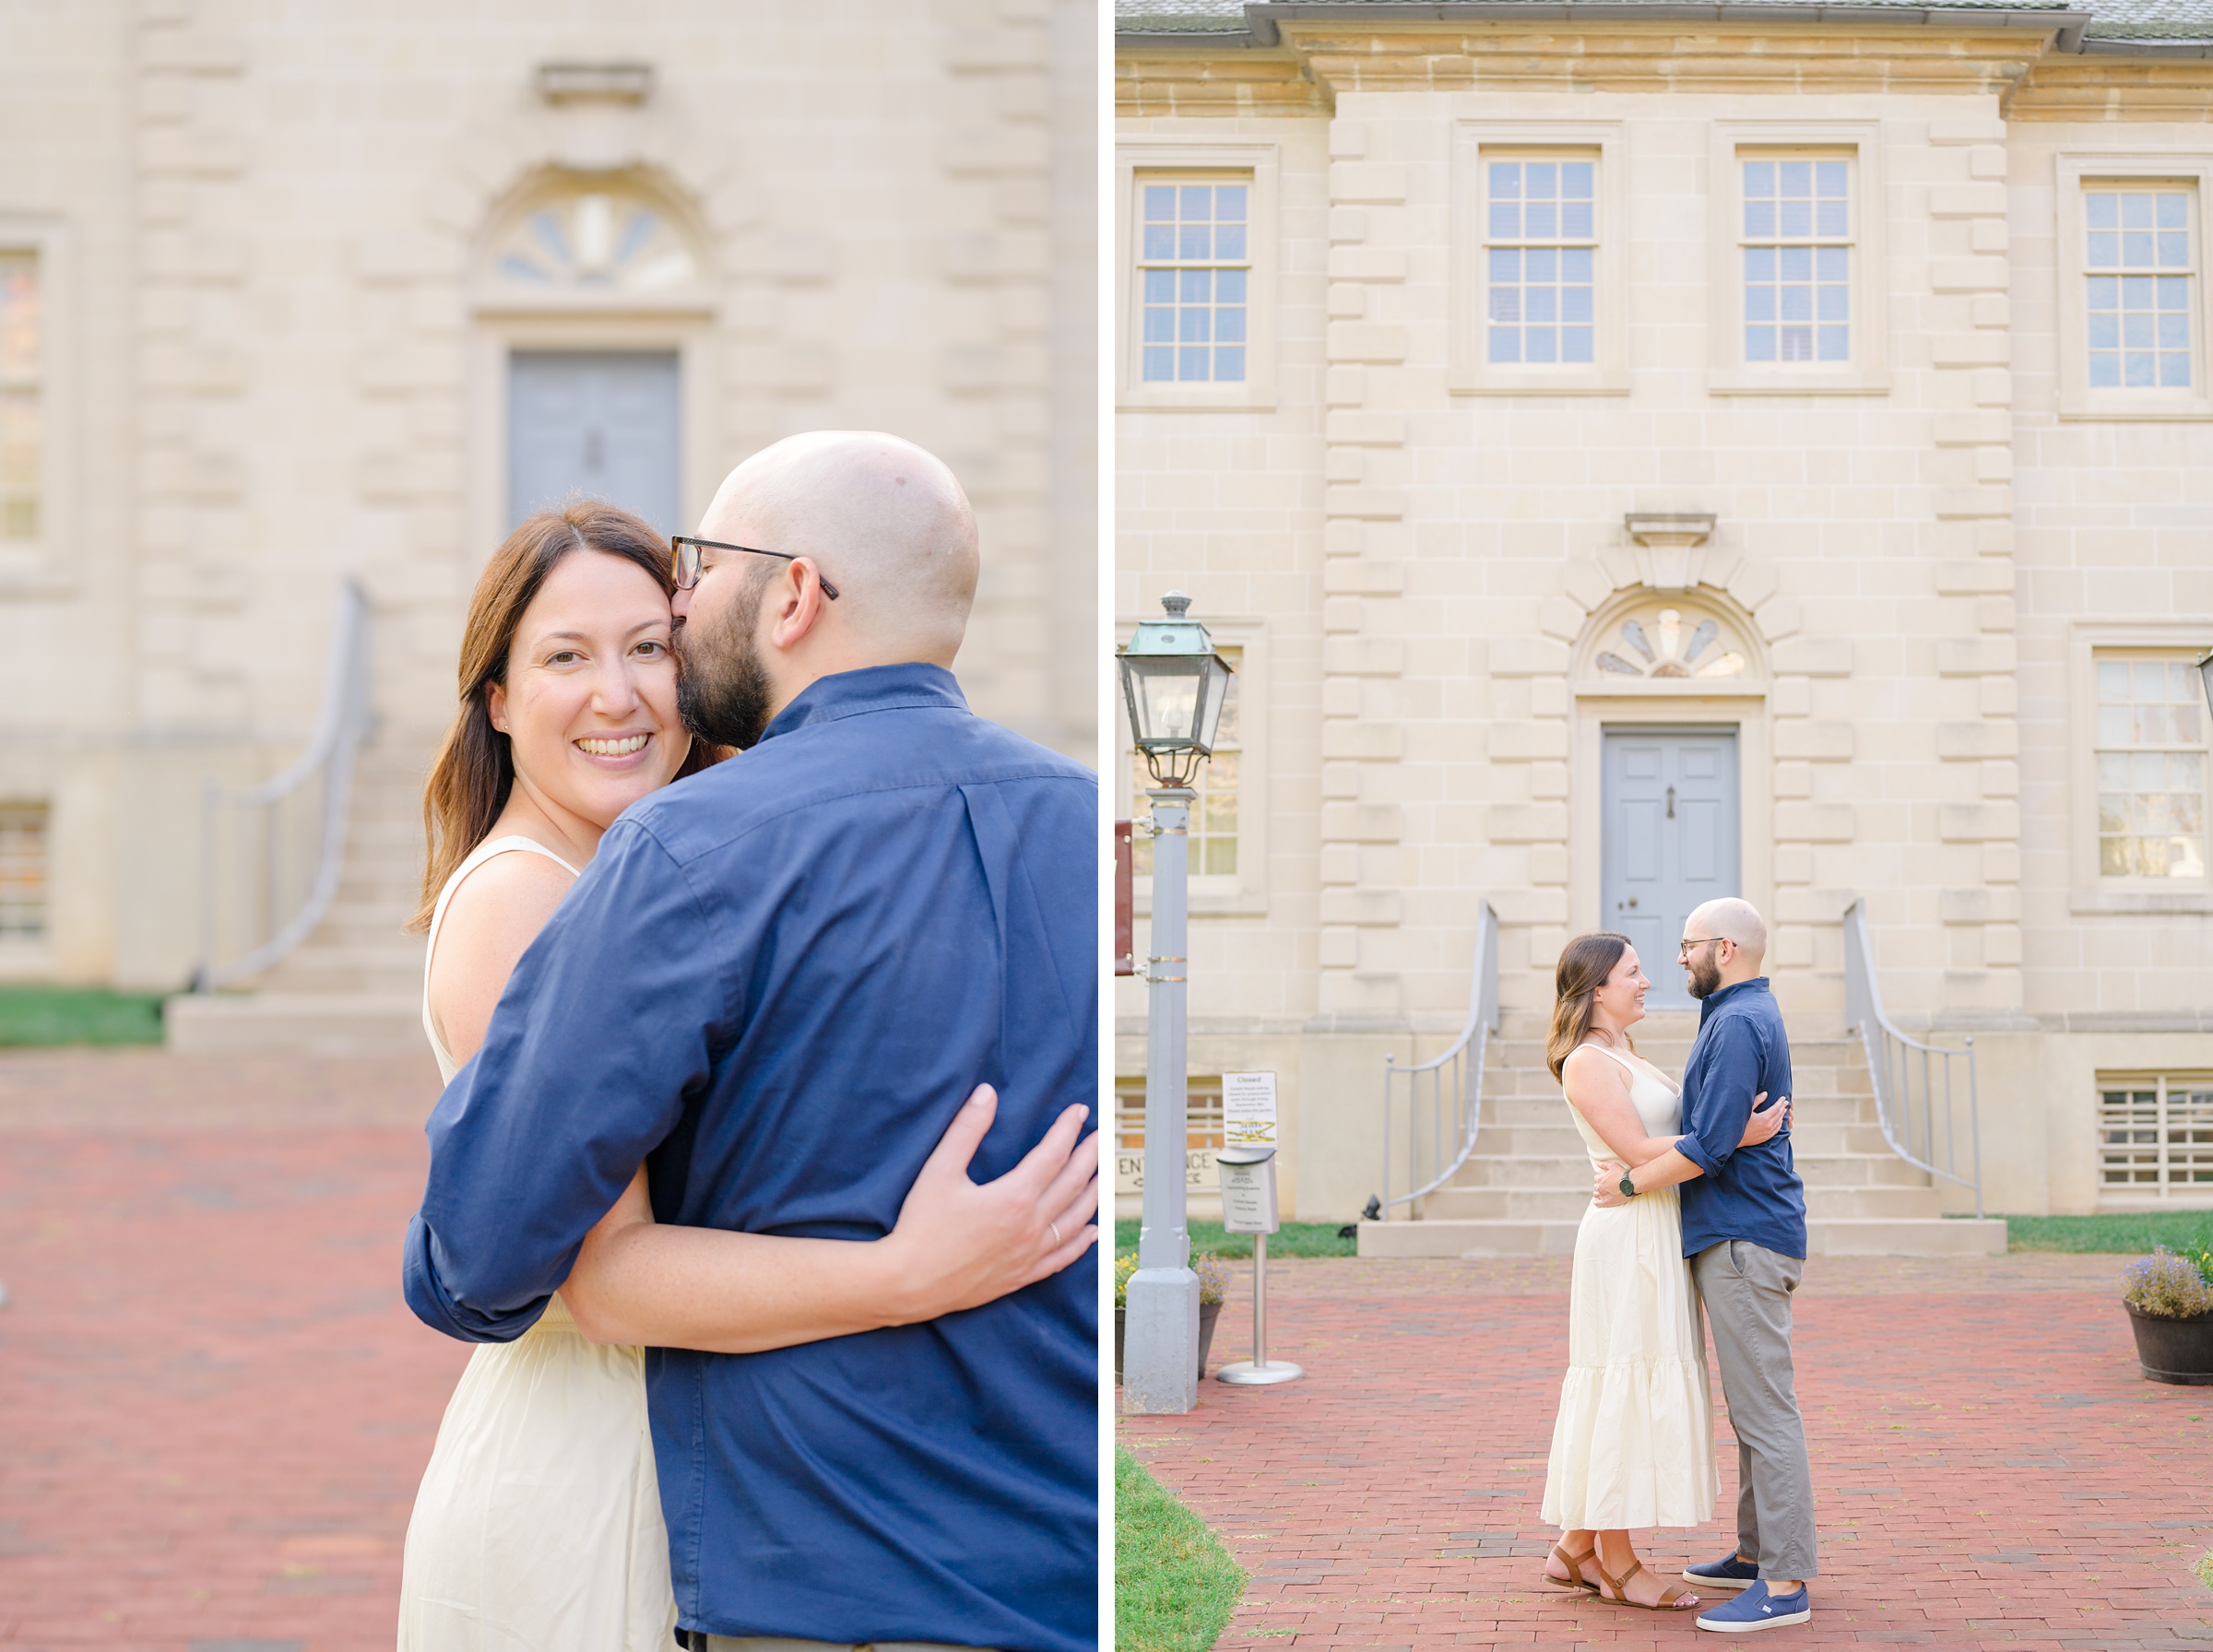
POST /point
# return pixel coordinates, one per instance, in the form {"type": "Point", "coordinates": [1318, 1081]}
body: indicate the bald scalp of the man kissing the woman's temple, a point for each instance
{"type": "Point", "coordinates": [882, 519]}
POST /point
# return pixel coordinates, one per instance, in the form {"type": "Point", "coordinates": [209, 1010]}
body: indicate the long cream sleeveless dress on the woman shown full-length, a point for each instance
{"type": "Point", "coordinates": [1634, 1441]}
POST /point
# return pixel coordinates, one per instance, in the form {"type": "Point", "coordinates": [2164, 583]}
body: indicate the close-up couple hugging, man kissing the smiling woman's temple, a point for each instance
{"type": "Point", "coordinates": [765, 1366]}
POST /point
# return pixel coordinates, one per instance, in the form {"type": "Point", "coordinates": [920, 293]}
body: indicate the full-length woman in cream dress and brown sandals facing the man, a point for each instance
{"type": "Point", "coordinates": [1634, 1439]}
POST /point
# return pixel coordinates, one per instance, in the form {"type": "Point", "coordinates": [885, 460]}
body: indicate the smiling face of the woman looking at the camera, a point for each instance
{"type": "Point", "coordinates": [590, 704]}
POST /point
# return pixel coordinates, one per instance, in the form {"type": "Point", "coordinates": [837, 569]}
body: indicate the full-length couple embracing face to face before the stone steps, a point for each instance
{"type": "Point", "coordinates": [1696, 1206]}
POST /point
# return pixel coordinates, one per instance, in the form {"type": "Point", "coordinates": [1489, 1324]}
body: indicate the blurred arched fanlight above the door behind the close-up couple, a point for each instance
{"type": "Point", "coordinates": [594, 240]}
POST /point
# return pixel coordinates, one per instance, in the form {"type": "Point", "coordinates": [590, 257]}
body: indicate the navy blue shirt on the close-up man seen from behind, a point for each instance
{"type": "Point", "coordinates": [776, 985]}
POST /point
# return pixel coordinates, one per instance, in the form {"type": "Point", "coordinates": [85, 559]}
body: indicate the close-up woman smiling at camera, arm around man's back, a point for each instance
{"type": "Point", "coordinates": [539, 1523]}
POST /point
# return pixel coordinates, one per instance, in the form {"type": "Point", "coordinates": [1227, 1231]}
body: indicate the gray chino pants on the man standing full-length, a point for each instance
{"type": "Point", "coordinates": [1747, 1295]}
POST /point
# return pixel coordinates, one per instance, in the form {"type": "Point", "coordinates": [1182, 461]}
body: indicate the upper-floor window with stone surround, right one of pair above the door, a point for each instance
{"type": "Point", "coordinates": [1798, 242]}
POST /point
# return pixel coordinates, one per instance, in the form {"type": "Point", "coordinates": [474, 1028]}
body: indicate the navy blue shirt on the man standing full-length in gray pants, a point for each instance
{"type": "Point", "coordinates": [1747, 1193]}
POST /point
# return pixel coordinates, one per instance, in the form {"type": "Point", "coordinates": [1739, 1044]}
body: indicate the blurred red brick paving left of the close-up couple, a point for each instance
{"type": "Point", "coordinates": [214, 1401]}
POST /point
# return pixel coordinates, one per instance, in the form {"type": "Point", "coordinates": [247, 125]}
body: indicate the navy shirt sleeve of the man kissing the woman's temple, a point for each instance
{"type": "Point", "coordinates": [599, 1038]}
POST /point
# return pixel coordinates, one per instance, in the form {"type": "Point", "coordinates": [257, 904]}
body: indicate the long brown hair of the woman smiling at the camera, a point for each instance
{"type": "Point", "coordinates": [477, 766]}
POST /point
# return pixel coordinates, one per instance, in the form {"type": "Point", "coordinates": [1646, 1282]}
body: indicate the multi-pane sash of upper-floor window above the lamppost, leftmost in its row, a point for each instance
{"type": "Point", "coordinates": [1194, 273]}
